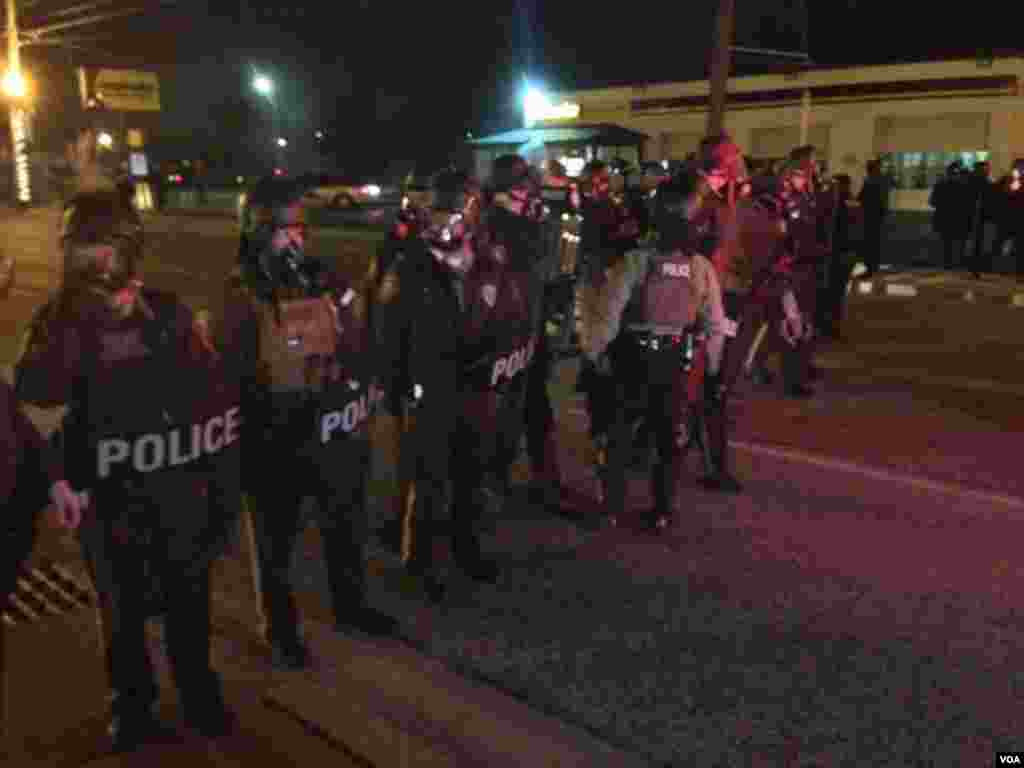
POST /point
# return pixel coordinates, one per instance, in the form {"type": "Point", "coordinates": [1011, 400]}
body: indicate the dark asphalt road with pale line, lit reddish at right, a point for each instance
{"type": "Point", "coordinates": [885, 514]}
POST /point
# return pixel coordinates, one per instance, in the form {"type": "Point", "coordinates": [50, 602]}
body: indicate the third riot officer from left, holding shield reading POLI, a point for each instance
{"type": "Point", "coordinates": [482, 321]}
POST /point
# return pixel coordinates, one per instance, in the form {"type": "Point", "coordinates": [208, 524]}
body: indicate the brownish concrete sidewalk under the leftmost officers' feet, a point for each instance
{"type": "Point", "coordinates": [366, 703]}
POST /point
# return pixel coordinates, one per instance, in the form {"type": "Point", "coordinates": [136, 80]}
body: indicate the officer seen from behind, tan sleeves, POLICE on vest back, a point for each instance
{"type": "Point", "coordinates": [654, 308]}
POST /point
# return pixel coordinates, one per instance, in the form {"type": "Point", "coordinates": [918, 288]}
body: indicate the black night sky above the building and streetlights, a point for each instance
{"type": "Point", "coordinates": [405, 81]}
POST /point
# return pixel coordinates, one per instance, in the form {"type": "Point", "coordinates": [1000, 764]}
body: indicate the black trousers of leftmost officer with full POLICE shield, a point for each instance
{"type": "Point", "coordinates": [132, 540]}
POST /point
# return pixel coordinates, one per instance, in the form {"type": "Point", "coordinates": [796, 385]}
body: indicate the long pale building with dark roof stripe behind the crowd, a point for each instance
{"type": "Point", "coordinates": [916, 118]}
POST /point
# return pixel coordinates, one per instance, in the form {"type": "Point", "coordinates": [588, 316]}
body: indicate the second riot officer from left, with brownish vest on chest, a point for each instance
{"type": "Point", "coordinates": [295, 335]}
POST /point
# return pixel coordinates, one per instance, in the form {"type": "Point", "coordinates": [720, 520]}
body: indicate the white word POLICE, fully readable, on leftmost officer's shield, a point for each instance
{"type": "Point", "coordinates": [181, 446]}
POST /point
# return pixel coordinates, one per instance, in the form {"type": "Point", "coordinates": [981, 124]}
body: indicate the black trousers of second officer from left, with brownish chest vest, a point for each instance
{"type": "Point", "coordinates": [335, 478]}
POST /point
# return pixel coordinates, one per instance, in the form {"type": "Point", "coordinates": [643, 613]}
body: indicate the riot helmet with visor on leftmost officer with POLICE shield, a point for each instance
{"type": "Point", "coordinates": [102, 240]}
